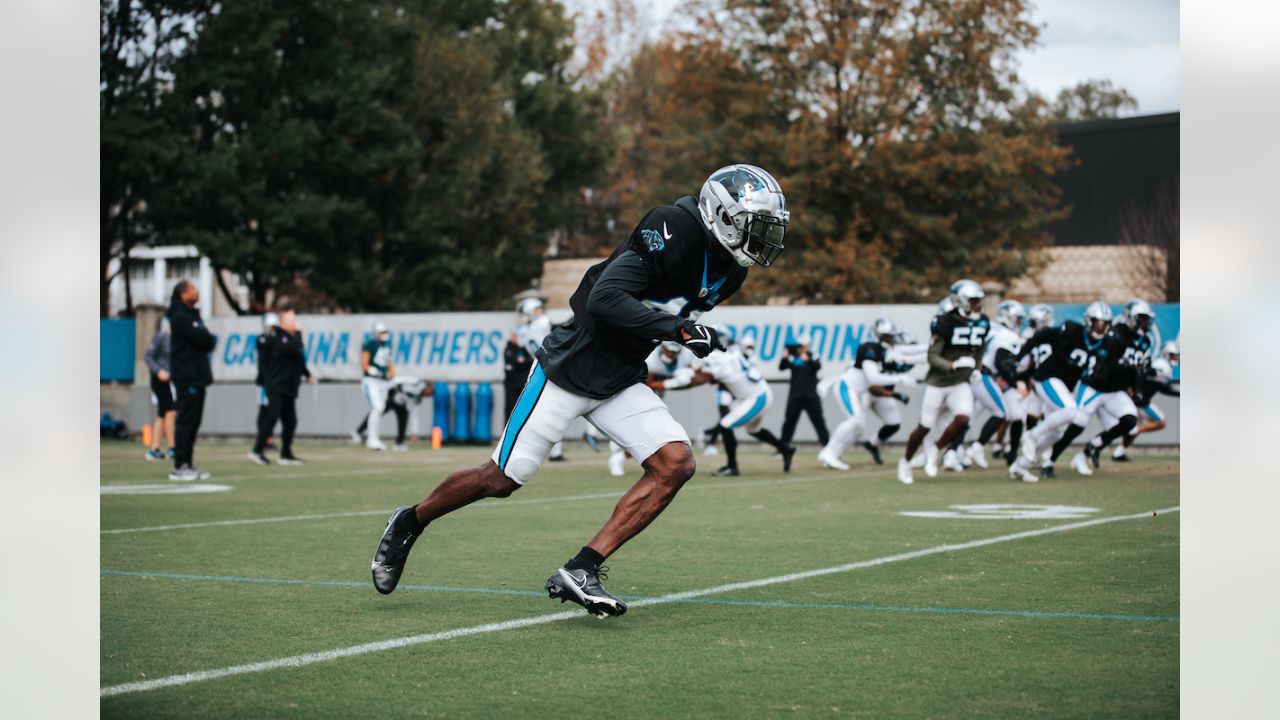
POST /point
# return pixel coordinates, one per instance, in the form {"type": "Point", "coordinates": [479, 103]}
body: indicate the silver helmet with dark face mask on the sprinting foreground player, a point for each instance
{"type": "Point", "coordinates": [746, 211]}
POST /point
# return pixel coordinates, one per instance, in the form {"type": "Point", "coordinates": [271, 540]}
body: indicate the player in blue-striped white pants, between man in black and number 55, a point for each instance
{"type": "Point", "coordinates": [856, 397]}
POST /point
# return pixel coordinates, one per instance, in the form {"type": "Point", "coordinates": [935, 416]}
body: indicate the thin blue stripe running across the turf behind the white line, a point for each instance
{"type": "Point", "coordinates": [692, 600]}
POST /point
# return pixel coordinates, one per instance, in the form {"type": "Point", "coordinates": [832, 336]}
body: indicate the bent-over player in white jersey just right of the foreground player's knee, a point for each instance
{"type": "Point", "coordinates": [752, 398]}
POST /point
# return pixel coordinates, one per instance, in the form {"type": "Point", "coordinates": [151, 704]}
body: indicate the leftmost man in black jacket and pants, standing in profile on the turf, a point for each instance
{"type": "Point", "coordinates": [189, 359]}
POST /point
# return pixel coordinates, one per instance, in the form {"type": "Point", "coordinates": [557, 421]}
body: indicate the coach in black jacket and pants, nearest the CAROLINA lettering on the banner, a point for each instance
{"type": "Point", "coordinates": [287, 366]}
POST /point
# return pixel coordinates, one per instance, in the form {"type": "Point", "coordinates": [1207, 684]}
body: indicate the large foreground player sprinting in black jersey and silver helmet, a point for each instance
{"type": "Point", "coordinates": [678, 263]}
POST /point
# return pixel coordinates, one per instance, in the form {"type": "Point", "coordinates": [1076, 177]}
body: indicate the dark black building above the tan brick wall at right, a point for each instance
{"type": "Point", "coordinates": [1119, 162]}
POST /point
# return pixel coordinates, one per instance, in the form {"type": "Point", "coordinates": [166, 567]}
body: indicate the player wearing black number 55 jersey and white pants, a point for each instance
{"type": "Point", "coordinates": [954, 354]}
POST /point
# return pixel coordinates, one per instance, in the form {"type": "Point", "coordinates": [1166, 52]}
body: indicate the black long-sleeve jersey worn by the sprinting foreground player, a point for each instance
{"type": "Point", "coordinates": [669, 271]}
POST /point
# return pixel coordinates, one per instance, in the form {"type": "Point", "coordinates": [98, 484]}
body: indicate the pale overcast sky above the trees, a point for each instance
{"type": "Point", "coordinates": [1131, 43]}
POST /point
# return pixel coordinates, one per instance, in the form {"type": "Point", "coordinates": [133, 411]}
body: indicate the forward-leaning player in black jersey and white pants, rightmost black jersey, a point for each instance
{"type": "Point", "coordinates": [1108, 388]}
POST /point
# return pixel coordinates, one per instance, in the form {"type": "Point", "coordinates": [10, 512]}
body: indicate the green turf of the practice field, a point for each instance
{"type": "Point", "coordinates": [1073, 625]}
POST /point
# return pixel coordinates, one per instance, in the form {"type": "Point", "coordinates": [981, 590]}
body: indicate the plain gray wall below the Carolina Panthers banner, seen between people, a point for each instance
{"type": "Point", "coordinates": [336, 409]}
